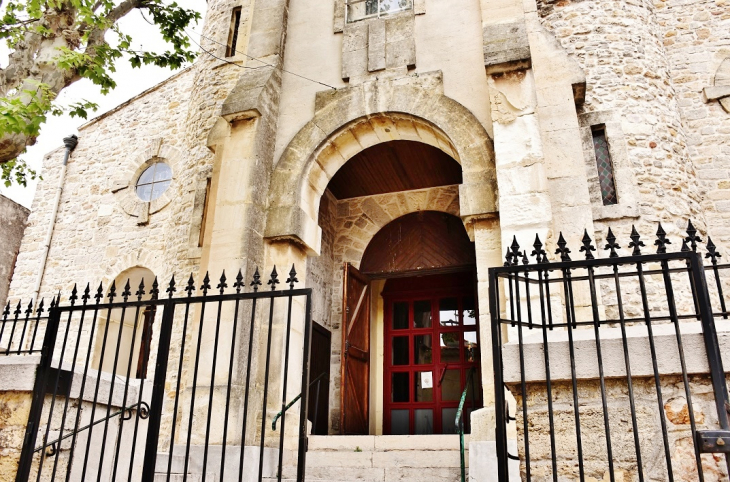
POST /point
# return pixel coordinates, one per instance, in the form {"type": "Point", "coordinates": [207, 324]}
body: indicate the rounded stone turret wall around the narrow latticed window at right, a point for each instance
{"type": "Point", "coordinates": [620, 46]}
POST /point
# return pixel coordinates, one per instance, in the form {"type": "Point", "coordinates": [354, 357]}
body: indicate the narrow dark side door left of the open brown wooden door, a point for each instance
{"type": "Point", "coordinates": [319, 369]}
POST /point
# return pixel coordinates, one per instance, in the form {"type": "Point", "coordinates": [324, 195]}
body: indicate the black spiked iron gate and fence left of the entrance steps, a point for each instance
{"type": "Point", "coordinates": [142, 387]}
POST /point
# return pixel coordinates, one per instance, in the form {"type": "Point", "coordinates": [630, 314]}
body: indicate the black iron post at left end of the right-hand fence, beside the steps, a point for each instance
{"type": "Point", "coordinates": [499, 406]}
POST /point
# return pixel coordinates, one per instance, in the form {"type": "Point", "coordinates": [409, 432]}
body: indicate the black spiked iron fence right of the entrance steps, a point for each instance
{"type": "Point", "coordinates": [611, 368]}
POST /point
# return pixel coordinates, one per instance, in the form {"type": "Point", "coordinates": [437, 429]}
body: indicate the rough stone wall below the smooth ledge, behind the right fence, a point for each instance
{"type": "Point", "coordinates": [593, 436]}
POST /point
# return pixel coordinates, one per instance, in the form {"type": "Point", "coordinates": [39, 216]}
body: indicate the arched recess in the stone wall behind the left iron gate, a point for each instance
{"type": "Point", "coordinates": [130, 329]}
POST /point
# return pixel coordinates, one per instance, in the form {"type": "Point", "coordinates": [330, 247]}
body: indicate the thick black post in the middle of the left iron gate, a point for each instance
{"type": "Point", "coordinates": [158, 393]}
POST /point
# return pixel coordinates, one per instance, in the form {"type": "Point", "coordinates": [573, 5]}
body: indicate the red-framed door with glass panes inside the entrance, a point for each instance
{"type": "Point", "coordinates": [431, 344]}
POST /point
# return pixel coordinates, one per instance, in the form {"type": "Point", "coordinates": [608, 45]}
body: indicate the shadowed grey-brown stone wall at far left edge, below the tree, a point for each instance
{"type": "Point", "coordinates": [13, 218]}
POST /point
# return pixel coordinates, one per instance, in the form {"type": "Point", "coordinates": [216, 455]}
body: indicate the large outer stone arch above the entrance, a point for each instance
{"type": "Point", "coordinates": [350, 120]}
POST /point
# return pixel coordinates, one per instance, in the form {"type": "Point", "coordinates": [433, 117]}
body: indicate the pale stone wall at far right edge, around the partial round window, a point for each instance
{"type": "Point", "coordinates": [696, 37]}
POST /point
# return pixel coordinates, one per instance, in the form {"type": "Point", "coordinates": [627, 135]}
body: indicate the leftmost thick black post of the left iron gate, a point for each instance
{"type": "Point", "coordinates": [39, 392]}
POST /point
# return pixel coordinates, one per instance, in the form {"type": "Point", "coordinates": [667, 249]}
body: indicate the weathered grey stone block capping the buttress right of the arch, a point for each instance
{"type": "Point", "coordinates": [506, 47]}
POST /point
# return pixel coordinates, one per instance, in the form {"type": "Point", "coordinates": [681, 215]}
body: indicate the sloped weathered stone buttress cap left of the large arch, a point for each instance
{"type": "Point", "coordinates": [245, 99]}
